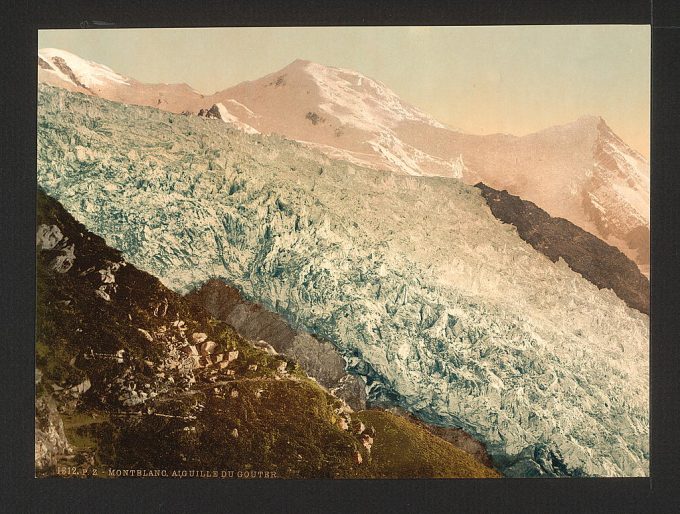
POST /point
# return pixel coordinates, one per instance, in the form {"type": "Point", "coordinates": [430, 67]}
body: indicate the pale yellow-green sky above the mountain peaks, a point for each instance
{"type": "Point", "coordinates": [483, 80]}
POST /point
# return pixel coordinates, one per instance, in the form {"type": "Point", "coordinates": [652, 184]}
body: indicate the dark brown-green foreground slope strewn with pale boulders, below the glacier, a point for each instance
{"type": "Point", "coordinates": [130, 375]}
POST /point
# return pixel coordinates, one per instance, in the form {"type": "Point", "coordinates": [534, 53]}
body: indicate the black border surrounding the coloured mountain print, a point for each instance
{"type": "Point", "coordinates": [20, 492]}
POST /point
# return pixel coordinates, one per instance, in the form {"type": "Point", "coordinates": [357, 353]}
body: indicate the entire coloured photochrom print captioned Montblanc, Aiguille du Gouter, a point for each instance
{"type": "Point", "coordinates": [343, 252]}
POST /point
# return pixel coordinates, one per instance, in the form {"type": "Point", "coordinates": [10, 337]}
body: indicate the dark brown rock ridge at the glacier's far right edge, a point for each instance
{"type": "Point", "coordinates": [602, 264]}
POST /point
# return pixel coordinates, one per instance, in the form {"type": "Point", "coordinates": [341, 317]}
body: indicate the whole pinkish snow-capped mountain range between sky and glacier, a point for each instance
{"type": "Point", "coordinates": [580, 171]}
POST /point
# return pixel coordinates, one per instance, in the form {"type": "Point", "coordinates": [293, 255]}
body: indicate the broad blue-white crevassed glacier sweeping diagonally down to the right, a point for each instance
{"type": "Point", "coordinates": [443, 308]}
